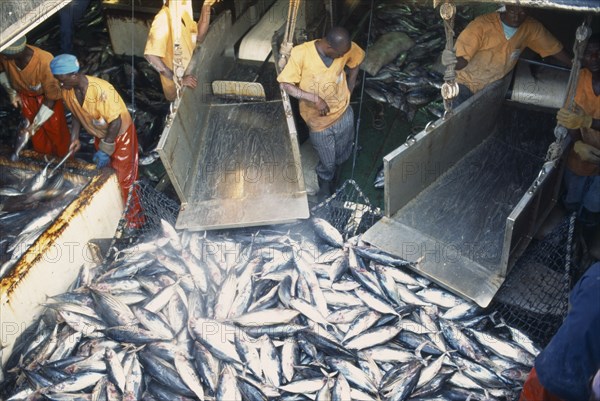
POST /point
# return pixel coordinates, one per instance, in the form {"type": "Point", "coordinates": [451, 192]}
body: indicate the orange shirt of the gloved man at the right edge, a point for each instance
{"type": "Point", "coordinates": [589, 102]}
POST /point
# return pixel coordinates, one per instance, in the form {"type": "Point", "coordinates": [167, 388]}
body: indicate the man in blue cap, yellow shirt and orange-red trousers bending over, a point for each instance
{"type": "Point", "coordinates": [99, 109]}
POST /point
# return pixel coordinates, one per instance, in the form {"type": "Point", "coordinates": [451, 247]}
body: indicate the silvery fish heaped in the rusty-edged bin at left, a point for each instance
{"type": "Point", "coordinates": [29, 203]}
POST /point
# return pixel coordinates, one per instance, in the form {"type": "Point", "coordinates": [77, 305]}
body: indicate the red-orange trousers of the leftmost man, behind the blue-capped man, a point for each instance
{"type": "Point", "coordinates": [53, 137]}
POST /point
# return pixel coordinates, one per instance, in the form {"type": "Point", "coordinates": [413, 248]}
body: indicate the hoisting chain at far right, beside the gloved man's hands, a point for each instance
{"type": "Point", "coordinates": [582, 35]}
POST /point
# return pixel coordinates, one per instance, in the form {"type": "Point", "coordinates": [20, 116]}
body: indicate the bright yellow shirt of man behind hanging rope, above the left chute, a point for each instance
{"type": "Point", "coordinates": [161, 37]}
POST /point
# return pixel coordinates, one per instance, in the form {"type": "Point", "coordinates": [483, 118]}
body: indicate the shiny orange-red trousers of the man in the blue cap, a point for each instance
{"type": "Point", "coordinates": [125, 162]}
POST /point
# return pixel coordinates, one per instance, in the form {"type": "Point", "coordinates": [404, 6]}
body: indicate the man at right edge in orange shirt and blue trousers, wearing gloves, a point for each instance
{"type": "Point", "coordinates": [582, 175]}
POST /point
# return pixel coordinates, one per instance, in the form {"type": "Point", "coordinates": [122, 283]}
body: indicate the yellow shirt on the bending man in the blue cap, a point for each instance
{"type": "Point", "coordinates": [101, 106]}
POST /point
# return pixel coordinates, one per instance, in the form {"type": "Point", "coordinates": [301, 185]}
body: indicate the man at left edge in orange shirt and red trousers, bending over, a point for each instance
{"type": "Point", "coordinates": [25, 75]}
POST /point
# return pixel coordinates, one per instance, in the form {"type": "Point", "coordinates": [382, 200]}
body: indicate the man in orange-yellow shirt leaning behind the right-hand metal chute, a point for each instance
{"type": "Point", "coordinates": [489, 48]}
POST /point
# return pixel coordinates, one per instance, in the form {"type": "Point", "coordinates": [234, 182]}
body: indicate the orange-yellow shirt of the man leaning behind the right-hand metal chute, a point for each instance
{"type": "Point", "coordinates": [491, 56]}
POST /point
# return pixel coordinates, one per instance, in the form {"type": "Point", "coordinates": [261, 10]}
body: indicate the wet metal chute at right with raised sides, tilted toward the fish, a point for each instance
{"type": "Point", "coordinates": [456, 223]}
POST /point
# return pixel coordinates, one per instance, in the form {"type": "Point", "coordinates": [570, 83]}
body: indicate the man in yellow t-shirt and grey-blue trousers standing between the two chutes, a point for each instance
{"type": "Point", "coordinates": [316, 75]}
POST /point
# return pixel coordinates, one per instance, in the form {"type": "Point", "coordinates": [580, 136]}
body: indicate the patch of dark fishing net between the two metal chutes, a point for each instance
{"type": "Point", "coordinates": [348, 210]}
